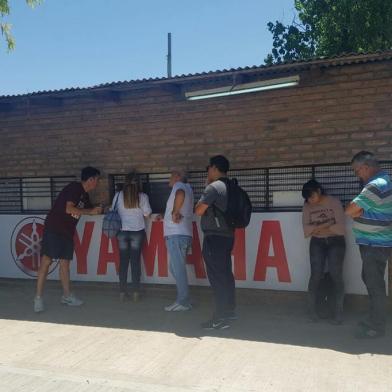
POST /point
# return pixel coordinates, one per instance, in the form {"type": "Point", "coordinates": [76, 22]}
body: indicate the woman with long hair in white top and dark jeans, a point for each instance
{"type": "Point", "coordinates": [133, 207]}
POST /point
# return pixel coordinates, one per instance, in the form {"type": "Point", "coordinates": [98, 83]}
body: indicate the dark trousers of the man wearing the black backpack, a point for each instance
{"type": "Point", "coordinates": [217, 256]}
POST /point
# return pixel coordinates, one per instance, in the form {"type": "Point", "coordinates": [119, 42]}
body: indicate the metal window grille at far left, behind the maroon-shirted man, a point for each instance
{"type": "Point", "coordinates": [20, 195]}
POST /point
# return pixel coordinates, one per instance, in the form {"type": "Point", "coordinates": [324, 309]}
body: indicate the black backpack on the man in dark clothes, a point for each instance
{"type": "Point", "coordinates": [239, 207]}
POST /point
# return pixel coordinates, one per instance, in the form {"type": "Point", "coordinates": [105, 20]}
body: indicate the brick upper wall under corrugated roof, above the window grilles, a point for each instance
{"type": "Point", "coordinates": [336, 107]}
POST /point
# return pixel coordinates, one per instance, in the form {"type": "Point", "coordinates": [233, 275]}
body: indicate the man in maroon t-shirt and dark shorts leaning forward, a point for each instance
{"type": "Point", "coordinates": [60, 225]}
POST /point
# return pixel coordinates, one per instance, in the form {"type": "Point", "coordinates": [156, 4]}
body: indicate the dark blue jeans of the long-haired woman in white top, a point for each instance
{"type": "Point", "coordinates": [130, 244]}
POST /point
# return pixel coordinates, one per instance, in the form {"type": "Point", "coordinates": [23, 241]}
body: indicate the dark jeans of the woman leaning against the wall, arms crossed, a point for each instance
{"type": "Point", "coordinates": [329, 250]}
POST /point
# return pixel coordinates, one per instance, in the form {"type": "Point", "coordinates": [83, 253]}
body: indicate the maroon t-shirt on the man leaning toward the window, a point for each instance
{"type": "Point", "coordinates": [58, 220]}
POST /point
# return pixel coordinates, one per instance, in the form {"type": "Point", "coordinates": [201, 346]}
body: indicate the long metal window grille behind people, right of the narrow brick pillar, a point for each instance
{"type": "Point", "coordinates": [265, 186]}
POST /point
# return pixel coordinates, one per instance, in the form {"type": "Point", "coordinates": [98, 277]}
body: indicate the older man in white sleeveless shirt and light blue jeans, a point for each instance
{"type": "Point", "coordinates": [177, 226]}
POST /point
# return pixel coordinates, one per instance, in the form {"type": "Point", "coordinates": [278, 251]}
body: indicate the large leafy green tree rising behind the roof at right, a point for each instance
{"type": "Point", "coordinates": [332, 27]}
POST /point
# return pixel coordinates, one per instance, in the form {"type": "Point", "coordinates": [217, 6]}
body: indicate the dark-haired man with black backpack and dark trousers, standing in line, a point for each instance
{"type": "Point", "coordinates": [222, 207]}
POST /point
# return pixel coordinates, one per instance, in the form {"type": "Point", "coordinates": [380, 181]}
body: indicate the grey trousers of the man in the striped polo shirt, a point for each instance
{"type": "Point", "coordinates": [374, 261]}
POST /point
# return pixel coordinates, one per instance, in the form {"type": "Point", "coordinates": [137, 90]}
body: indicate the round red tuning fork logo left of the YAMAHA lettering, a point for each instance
{"type": "Point", "coordinates": [26, 245]}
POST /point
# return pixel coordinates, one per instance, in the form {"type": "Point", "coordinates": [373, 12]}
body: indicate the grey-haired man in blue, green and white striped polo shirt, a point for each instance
{"type": "Point", "coordinates": [372, 214]}
